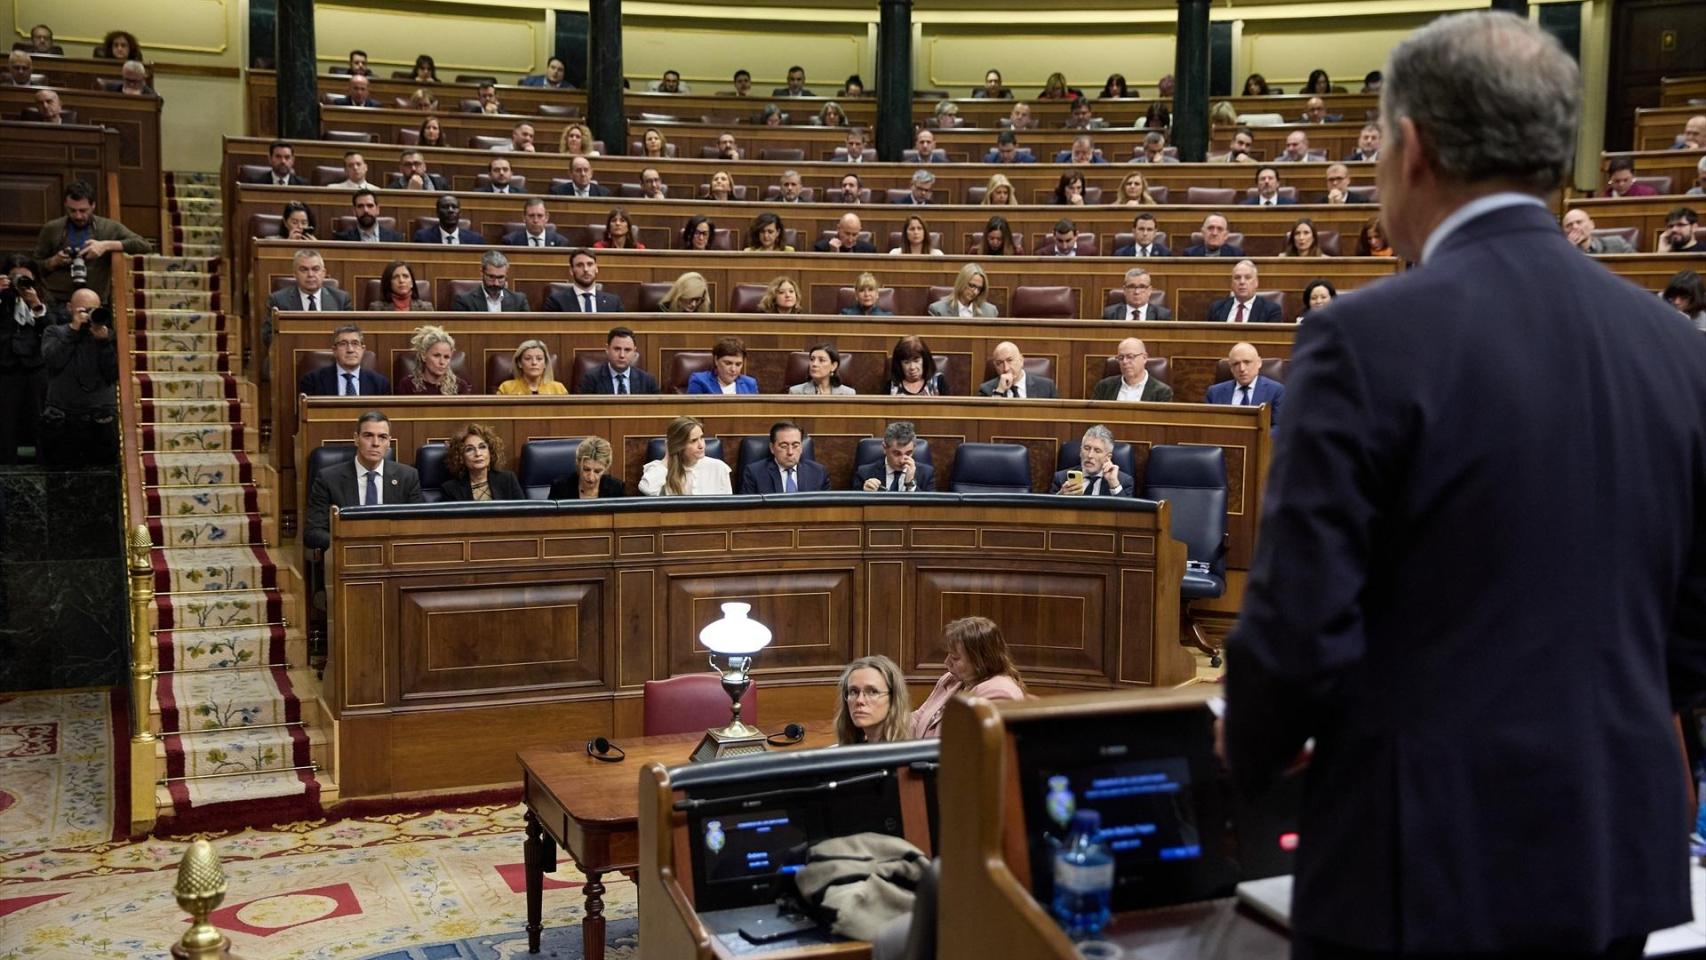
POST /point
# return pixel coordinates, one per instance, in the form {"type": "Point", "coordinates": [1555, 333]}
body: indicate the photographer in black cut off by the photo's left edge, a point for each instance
{"type": "Point", "coordinates": [25, 315]}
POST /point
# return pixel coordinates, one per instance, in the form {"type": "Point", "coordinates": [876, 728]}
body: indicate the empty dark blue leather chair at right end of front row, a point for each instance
{"type": "Point", "coordinates": [1193, 482]}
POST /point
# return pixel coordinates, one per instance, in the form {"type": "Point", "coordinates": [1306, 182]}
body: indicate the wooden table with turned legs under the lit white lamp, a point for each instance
{"type": "Point", "coordinates": [591, 809]}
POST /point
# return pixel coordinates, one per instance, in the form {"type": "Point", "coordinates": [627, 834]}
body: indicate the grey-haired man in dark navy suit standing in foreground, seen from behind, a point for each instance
{"type": "Point", "coordinates": [1480, 594]}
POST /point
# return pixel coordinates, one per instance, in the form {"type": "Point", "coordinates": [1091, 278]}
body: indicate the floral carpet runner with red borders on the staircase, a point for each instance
{"type": "Point", "coordinates": [236, 707]}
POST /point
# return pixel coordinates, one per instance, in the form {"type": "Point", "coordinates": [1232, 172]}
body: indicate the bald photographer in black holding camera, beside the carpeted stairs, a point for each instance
{"type": "Point", "coordinates": [79, 427]}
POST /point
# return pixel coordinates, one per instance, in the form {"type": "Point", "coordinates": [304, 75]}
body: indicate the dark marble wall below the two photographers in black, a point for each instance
{"type": "Point", "coordinates": [64, 615]}
